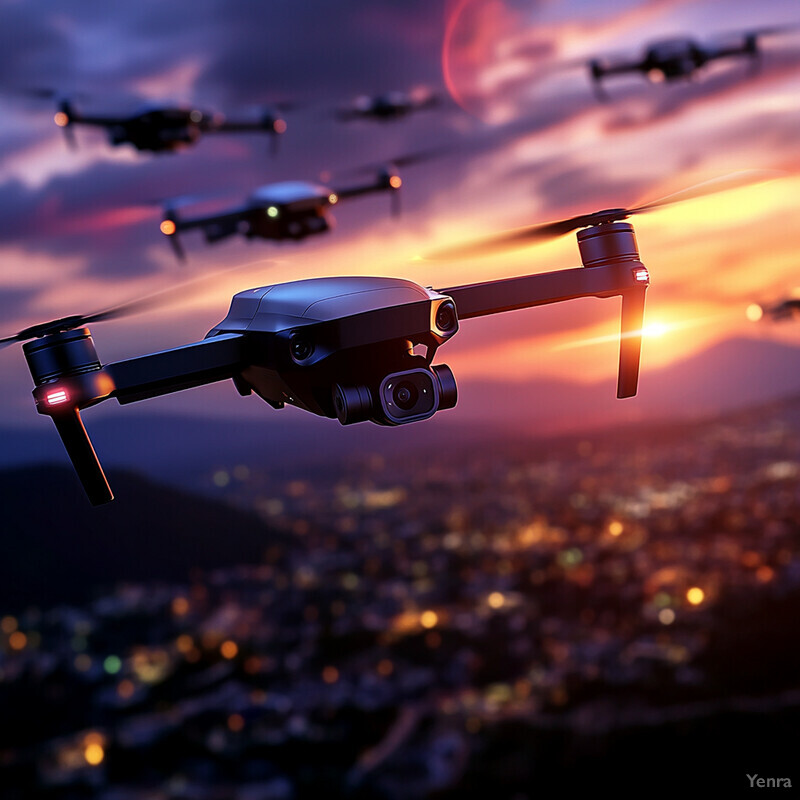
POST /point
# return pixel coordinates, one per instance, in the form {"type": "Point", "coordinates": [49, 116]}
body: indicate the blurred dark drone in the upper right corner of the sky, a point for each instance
{"type": "Point", "coordinates": [670, 60]}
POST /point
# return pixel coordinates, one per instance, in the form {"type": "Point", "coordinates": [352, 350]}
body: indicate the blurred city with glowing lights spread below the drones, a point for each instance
{"type": "Point", "coordinates": [609, 612]}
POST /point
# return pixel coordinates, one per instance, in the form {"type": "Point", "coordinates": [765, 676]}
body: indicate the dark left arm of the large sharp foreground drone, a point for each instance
{"type": "Point", "coordinates": [214, 359]}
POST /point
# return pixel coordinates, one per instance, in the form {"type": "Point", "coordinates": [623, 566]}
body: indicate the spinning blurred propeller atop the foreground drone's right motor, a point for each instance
{"type": "Point", "coordinates": [521, 237]}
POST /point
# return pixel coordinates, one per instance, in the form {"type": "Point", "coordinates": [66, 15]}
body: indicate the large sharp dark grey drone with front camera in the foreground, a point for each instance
{"type": "Point", "coordinates": [345, 348]}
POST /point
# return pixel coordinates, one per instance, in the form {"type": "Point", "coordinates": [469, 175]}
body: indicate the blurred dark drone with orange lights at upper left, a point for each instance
{"type": "Point", "coordinates": [164, 128]}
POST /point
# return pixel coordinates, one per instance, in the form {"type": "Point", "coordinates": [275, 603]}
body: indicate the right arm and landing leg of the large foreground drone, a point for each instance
{"type": "Point", "coordinates": [629, 279]}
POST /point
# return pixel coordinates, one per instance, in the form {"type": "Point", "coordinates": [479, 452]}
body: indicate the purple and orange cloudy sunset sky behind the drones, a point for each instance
{"type": "Point", "coordinates": [524, 140]}
